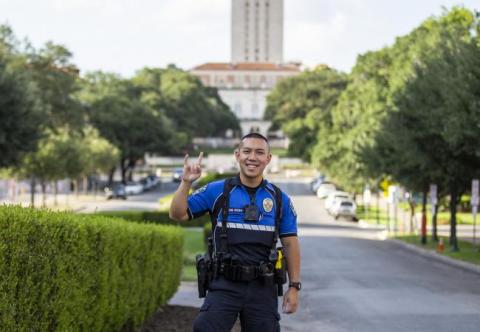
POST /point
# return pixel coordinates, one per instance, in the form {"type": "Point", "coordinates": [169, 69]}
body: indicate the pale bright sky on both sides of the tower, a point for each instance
{"type": "Point", "coordinates": [123, 36]}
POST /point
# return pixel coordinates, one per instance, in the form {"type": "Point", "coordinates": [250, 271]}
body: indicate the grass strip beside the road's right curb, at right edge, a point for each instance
{"type": "Point", "coordinates": [467, 253]}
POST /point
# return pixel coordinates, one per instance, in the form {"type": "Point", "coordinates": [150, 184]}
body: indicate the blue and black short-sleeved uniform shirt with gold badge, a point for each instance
{"type": "Point", "coordinates": [249, 241]}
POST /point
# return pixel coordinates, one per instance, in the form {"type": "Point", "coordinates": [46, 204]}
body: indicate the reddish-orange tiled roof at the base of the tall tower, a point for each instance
{"type": "Point", "coordinates": [249, 66]}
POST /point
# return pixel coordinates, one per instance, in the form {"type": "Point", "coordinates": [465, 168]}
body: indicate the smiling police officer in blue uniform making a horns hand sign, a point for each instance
{"type": "Point", "coordinates": [250, 228]}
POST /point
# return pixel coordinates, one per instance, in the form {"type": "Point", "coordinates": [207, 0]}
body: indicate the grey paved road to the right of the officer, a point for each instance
{"type": "Point", "coordinates": [354, 281]}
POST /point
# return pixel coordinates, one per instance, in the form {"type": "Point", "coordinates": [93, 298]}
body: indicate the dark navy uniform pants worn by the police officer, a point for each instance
{"type": "Point", "coordinates": [255, 303]}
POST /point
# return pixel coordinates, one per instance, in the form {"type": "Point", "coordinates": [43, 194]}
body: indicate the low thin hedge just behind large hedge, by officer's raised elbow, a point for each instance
{"type": "Point", "coordinates": [155, 217]}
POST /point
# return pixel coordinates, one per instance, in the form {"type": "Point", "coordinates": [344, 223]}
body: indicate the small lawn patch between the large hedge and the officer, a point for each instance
{"type": "Point", "coordinates": [193, 246]}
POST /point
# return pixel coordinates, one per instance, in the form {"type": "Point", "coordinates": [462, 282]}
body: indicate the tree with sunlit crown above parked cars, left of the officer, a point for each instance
{"type": "Point", "coordinates": [115, 109]}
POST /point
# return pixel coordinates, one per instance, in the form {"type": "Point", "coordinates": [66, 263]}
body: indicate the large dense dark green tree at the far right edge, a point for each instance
{"type": "Point", "coordinates": [433, 133]}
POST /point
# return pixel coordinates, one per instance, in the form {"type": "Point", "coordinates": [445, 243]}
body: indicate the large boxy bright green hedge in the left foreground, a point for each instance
{"type": "Point", "coordinates": [67, 272]}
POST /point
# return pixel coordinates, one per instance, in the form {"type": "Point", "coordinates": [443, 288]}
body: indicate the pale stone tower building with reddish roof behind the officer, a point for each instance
{"type": "Point", "coordinates": [256, 62]}
